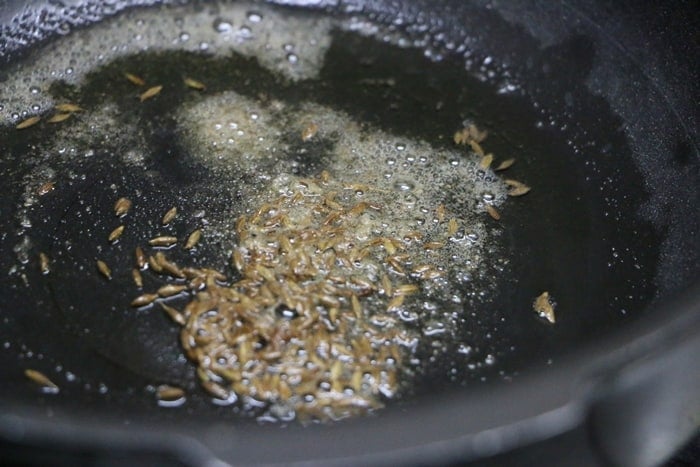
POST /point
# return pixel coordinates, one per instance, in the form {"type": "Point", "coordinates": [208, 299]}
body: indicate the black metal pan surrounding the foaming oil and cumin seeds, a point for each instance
{"type": "Point", "coordinates": [605, 123]}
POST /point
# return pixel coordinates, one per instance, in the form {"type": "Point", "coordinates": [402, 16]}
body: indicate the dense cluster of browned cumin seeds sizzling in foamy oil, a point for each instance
{"type": "Point", "coordinates": [310, 327]}
